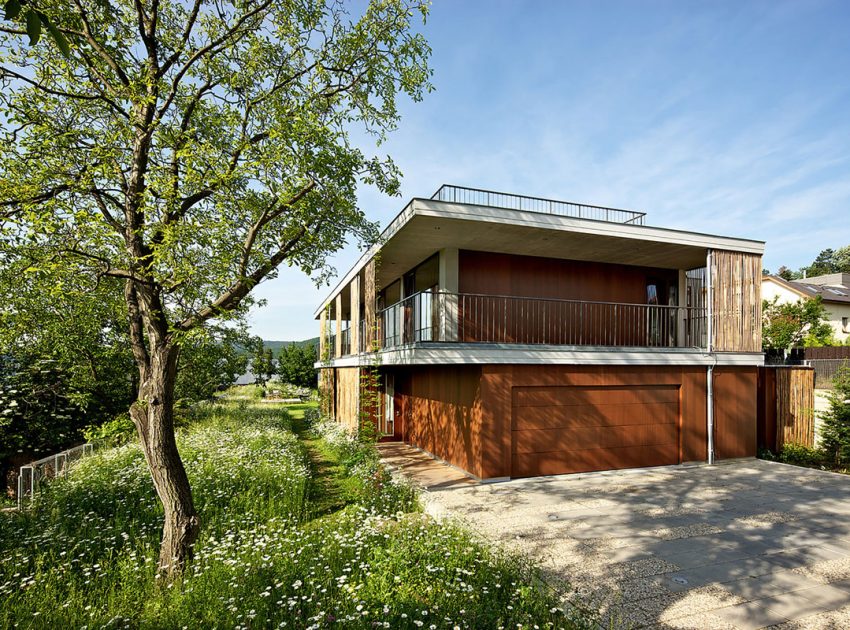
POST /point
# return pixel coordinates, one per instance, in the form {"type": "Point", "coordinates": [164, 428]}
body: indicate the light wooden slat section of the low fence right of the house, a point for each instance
{"type": "Point", "coordinates": [795, 406]}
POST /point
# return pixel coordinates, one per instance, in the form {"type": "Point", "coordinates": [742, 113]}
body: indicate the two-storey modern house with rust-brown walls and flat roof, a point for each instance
{"type": "Point", "coordinates": [513, 336]}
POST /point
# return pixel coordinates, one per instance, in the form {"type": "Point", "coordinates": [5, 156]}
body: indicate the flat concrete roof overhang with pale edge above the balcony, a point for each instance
{"type": "Point", "coordinates": [426, 226]}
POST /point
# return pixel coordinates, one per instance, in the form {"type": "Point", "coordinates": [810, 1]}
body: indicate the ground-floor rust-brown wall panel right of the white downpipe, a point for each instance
{"type": "Point", "coordinates": [735, 411]}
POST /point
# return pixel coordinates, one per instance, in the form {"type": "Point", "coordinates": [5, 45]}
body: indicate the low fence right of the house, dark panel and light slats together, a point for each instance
{"type": "Point", "coordinates": [786, 406]}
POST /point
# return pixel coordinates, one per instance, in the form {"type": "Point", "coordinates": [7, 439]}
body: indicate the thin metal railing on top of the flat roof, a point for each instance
{"type": "Point", "coordinates": [475, 196]}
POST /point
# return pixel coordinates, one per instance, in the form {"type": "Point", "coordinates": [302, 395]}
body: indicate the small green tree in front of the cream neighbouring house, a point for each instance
{"type": "Point", "coordinates": [786, 325]}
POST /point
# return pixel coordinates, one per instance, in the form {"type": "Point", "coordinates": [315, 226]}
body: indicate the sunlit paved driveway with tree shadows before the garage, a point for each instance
{"type": "Point", "coordinates": [743, 544]}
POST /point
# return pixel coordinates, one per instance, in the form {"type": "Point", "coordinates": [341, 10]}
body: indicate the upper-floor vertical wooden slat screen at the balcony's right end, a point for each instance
{"type": "Point", "coordinates": [736, 301]}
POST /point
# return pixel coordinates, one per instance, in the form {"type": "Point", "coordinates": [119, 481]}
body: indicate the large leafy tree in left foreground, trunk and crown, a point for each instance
{"type": "Point", "coordinates": [187, 150]}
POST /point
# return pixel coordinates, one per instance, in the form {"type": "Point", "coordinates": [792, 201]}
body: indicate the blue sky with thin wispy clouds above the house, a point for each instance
{"type": "Point", "coordinates": [723, 117]}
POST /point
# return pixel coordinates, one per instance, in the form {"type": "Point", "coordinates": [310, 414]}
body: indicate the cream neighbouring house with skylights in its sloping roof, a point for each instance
{"type": "Point", "coordinates": [833, 288]}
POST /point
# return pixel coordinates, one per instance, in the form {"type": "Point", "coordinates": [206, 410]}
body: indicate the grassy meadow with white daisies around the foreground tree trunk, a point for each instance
{"type": "Point", "coordinates": [301, 528]}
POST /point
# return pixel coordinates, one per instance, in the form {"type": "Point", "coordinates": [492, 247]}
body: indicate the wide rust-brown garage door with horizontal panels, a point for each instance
{"type": "Point", "coordinates": [575, 429]}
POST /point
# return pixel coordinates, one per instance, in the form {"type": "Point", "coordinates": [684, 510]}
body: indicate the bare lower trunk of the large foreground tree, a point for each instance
{"type": "Point", "coordinates": [153, 415]}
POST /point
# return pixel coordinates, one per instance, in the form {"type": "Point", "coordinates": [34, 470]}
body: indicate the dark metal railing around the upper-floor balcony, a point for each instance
{"type": "Point", "coordinates": [468, 318]}
